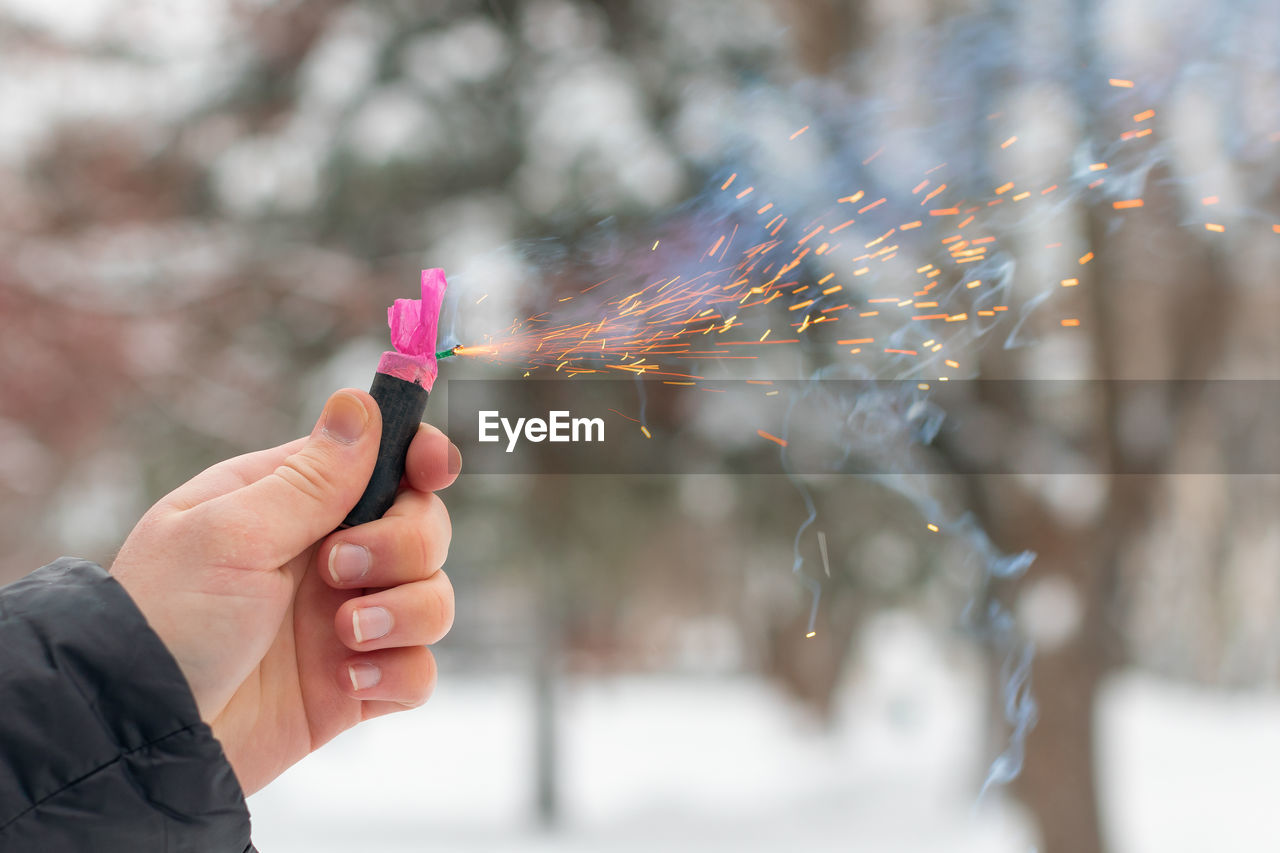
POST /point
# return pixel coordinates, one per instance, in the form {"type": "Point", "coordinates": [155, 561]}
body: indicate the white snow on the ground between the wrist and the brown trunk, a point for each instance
{"type": "Point", "coordinates": [664, 763]}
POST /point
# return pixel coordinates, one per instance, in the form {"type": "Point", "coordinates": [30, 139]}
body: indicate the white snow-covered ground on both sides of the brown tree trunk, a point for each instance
{"type": "Point", "coordinates": [707, 765]}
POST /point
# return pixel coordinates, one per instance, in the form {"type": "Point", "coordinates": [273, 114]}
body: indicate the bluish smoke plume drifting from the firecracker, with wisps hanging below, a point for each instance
{"type": "Point", "coordinates": [912, 223]}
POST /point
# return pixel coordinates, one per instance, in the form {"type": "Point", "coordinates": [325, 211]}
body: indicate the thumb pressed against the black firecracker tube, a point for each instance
{"type": "Point", "coordinates": [310, 494]}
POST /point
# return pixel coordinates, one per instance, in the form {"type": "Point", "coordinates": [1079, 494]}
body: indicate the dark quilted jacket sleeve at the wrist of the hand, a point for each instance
{"type": "Point", "coordinates": [102, 747]}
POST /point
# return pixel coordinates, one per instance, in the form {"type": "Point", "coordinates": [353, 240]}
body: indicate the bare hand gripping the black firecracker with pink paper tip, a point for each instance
{"type": "Point", "coordinates": [289, 632]}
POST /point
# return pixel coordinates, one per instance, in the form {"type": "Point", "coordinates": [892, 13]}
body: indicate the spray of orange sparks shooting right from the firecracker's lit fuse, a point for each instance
{"type": "Point", "coordinates": [912, 279]}
